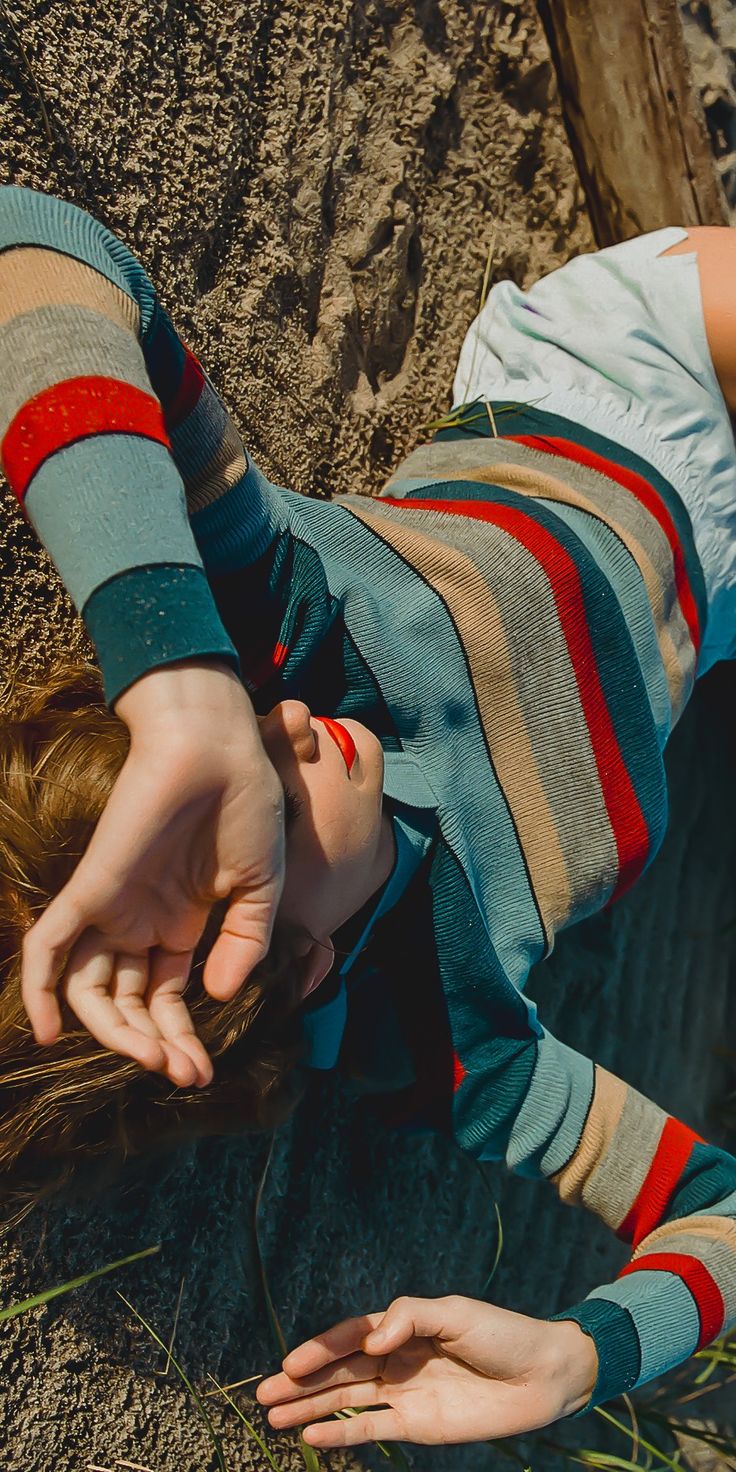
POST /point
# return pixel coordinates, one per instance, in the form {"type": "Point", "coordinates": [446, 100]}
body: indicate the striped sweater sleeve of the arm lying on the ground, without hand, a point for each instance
{"type": "Point", "coordinates": [650, 1178]}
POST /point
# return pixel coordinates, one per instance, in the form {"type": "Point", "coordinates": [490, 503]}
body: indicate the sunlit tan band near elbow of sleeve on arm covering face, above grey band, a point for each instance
{"type": "Point", "coordinates": [33, 277]}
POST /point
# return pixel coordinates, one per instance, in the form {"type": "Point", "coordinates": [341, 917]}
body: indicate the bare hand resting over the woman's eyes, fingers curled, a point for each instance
{"type": "Point", "coordinates": [195, 816]}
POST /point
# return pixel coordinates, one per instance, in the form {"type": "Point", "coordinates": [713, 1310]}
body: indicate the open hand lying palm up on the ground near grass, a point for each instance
{"type": "Point", "coordinates": [438, 1370]}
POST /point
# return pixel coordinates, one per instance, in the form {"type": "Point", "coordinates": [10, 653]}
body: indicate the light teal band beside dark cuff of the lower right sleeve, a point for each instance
{"type": "Point", "coordinates": [665, 1314]}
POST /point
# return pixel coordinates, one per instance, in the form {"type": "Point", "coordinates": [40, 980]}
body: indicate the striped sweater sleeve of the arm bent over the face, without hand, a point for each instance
{"type": "Point", "coordinates": [116, 444]}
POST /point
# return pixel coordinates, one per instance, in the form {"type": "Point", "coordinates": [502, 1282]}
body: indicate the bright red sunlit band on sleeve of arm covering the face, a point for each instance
{"type": "Point", "coordinates": [71, 411]}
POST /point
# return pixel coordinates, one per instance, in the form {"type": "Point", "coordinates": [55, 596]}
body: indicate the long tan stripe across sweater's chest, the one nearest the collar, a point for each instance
{"type": "Point", "coordinates": [479, 623]}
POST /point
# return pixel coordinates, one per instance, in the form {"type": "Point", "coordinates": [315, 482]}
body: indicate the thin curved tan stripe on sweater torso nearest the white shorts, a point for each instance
{"type": "Point", "coordinates": [539, 484]}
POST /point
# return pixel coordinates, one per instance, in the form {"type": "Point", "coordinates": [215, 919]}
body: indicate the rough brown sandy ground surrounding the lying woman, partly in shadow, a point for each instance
{"type": "Point", "coordinates": [314, 188]}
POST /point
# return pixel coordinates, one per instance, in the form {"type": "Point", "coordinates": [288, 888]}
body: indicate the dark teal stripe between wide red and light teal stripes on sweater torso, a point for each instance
{"type": "Point", "coordinates": [622, 679]}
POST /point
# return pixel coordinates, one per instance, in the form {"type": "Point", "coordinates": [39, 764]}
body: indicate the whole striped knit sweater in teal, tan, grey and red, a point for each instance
{"type": "Point", "coordinates": [519, 619]}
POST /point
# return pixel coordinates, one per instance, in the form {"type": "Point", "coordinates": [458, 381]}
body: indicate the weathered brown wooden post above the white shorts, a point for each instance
{"type": "Point", "coordinates": [634, 116]}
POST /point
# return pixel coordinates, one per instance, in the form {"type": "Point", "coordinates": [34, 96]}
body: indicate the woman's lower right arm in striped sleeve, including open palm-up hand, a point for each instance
{"type": "Point", "coordinates": [459, 1370]}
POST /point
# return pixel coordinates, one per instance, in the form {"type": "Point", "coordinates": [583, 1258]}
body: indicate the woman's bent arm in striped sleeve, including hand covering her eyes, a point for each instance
{"type": "Point", "coordinates": [113, 439]}
